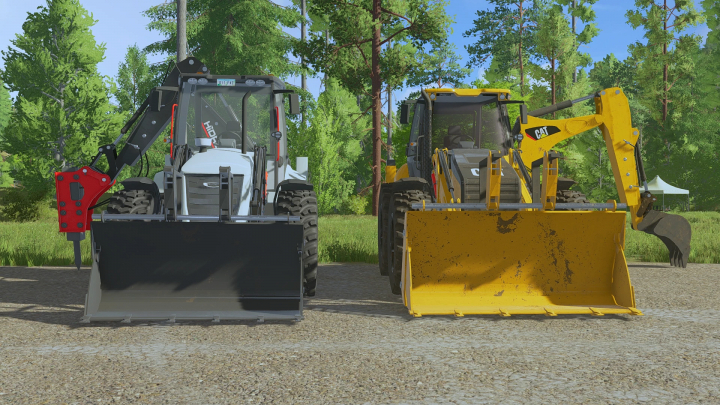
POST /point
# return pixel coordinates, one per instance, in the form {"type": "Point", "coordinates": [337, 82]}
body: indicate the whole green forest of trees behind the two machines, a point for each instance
{"type": "Point", "coordinates": [56, 107]}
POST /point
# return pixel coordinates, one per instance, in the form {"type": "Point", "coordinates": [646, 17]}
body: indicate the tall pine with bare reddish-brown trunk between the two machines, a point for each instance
{"type": "Point", "coordinates": [360, 29]}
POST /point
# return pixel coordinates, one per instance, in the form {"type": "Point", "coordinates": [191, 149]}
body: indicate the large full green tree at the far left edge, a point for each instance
{"type": "Point", "coordinates": [62, 110]}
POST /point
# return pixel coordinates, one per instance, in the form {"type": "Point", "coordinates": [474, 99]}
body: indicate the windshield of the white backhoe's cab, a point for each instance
{"type": "Point", "coordinates": [216, 113]}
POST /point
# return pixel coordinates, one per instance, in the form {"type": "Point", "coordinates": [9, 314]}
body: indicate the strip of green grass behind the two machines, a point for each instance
{"type": "Point", "coordinates": [343, 238]}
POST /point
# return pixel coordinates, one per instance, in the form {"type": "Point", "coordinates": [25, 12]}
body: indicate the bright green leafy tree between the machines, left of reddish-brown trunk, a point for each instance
{"type": "Point", "coordinates": [331, 143]}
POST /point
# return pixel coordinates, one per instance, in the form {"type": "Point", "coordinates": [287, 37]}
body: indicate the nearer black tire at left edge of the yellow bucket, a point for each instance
{"type": "Point", "coordinates": [402, 202]}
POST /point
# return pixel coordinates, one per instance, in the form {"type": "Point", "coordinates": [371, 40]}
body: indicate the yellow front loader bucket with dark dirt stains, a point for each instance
{"type": "Point", "coordinates": [516, 262]}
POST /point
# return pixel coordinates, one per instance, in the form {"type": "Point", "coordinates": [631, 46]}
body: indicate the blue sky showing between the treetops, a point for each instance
{"type": "Point", "coordinates": [121, 24]}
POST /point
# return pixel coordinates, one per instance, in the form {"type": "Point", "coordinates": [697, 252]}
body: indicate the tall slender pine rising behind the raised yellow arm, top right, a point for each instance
{"type": "Point", "coordinates": [660, 65]}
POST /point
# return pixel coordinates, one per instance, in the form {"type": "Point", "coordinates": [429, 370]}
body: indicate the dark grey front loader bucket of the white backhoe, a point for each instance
{"type": "Point", "coordinates": [195, 271]}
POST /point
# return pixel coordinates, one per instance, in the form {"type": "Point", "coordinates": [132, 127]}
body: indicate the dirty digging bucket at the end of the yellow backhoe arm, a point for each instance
{"type": "Point", "coordinates": [673, 230]}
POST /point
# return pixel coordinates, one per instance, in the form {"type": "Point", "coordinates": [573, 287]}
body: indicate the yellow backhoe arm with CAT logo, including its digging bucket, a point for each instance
{"type": "Point", "coordinates": [621, 139]}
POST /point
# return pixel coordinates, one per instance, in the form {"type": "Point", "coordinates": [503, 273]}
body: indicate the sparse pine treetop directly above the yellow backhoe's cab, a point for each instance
{"type": "Point", "coordinates": [506, 34]}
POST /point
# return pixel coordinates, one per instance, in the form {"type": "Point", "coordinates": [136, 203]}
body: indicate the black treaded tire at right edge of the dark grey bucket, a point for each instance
{"type": "Point", "coordinates": [303, 203]}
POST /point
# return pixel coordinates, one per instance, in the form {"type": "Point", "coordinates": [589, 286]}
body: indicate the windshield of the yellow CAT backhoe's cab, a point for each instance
{"type": "Point", "coordinates": [470, 125]}
